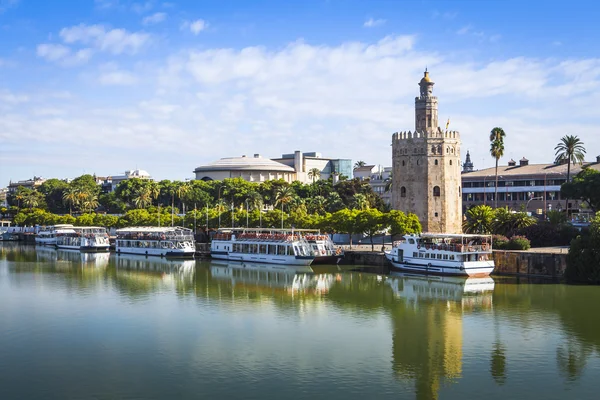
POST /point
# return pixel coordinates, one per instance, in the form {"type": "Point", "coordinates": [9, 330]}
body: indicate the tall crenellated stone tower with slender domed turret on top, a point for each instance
{"type": "Point", "coordinates": [426, 168]}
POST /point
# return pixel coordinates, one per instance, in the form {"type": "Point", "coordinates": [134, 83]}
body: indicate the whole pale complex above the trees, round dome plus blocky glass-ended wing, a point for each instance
{"type": "Point", "coordinates": [290, 167]}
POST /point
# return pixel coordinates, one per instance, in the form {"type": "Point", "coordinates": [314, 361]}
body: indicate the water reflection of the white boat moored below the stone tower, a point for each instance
{"type": "Point", "coordinates": [415, 287]}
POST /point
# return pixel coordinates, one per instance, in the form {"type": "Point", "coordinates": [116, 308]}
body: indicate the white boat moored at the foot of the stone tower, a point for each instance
{"type": "Point", "coordinates": [444, 254]}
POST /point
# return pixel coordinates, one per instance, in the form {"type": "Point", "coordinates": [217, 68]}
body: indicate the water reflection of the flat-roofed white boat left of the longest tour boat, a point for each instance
{"type": "Point", "coordinates": [130, 262]}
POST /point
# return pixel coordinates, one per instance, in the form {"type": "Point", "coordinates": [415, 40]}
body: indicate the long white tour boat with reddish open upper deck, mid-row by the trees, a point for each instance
{"type": "Point", "coordinates": [271, 246]}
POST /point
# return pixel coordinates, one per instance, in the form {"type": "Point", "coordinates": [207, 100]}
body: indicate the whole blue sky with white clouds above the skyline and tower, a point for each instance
{"type": "Point", "coordinates": [104, 86]}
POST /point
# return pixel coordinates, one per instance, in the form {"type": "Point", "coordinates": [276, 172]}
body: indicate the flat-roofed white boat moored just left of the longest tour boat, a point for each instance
{"type": "Point", "coordinates": [156, 241]}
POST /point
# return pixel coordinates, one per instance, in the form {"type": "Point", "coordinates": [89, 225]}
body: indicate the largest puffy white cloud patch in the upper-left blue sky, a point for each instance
{"type": "Point", "coordinates": [115, 41]}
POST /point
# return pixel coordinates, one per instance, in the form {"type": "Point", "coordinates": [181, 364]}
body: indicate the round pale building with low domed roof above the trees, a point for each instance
{"type": "Point", "coordinates": [251, 169]}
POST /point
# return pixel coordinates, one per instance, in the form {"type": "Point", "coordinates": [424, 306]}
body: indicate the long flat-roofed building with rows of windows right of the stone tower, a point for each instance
{"type": "Point", "coordinates": [535, 187]}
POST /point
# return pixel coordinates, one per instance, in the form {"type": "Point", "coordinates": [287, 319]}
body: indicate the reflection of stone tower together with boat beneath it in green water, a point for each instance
{"type": "Point", "coordinates": [427, 338]}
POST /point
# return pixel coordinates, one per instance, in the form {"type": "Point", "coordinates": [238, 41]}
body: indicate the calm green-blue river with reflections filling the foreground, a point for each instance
{"type": "Point", "coordinates": [100, 326]}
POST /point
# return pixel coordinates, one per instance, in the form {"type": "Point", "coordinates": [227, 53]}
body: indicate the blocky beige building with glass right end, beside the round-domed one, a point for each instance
{"type": "Point", "coordinates": [304, 163]}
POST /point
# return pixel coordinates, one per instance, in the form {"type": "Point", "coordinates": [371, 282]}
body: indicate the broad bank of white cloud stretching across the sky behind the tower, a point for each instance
{"type": "Point", "coordinates": [311, 97]}
